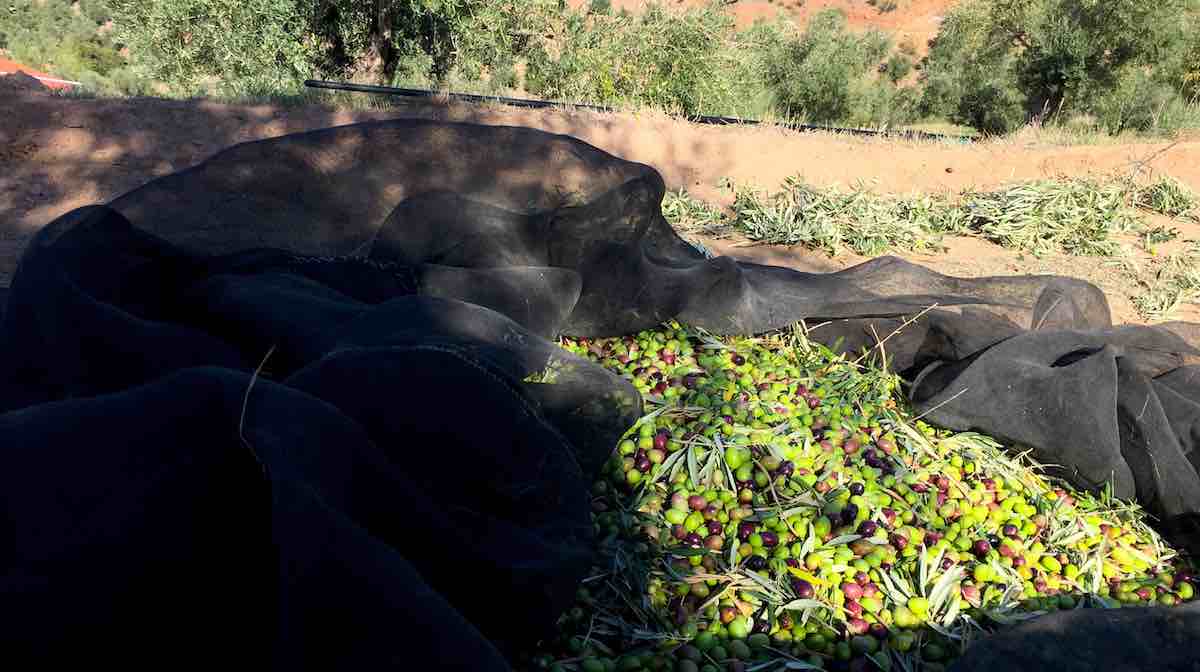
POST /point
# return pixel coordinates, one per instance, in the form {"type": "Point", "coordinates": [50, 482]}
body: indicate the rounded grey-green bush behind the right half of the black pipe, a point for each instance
{"type": "Point", "coordinates": [813, 75]}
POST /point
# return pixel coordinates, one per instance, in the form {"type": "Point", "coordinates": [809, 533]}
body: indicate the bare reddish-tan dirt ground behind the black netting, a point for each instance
{"type": "Point", "coordinates": [62, 153]}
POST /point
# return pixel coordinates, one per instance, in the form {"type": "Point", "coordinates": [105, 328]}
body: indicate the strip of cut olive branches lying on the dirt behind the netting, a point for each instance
{"type": "Point", "coordinates": [1075, 217]}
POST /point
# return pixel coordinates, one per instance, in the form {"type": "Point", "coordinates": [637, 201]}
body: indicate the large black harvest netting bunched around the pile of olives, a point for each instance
{"type": "Point", "coordinates": [405, 481]}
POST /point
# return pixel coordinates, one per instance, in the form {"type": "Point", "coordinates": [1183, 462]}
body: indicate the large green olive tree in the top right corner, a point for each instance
{"type": "Point", "coordinates": [1000, 64]}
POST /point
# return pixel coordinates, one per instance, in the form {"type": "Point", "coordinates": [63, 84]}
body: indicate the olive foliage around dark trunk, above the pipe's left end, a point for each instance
{"type": "Point", "coordinates": [271, 46]}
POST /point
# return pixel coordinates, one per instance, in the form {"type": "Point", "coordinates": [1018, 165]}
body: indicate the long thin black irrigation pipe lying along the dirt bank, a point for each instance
{"type": "Point", "coordinates": [543, 105]}
